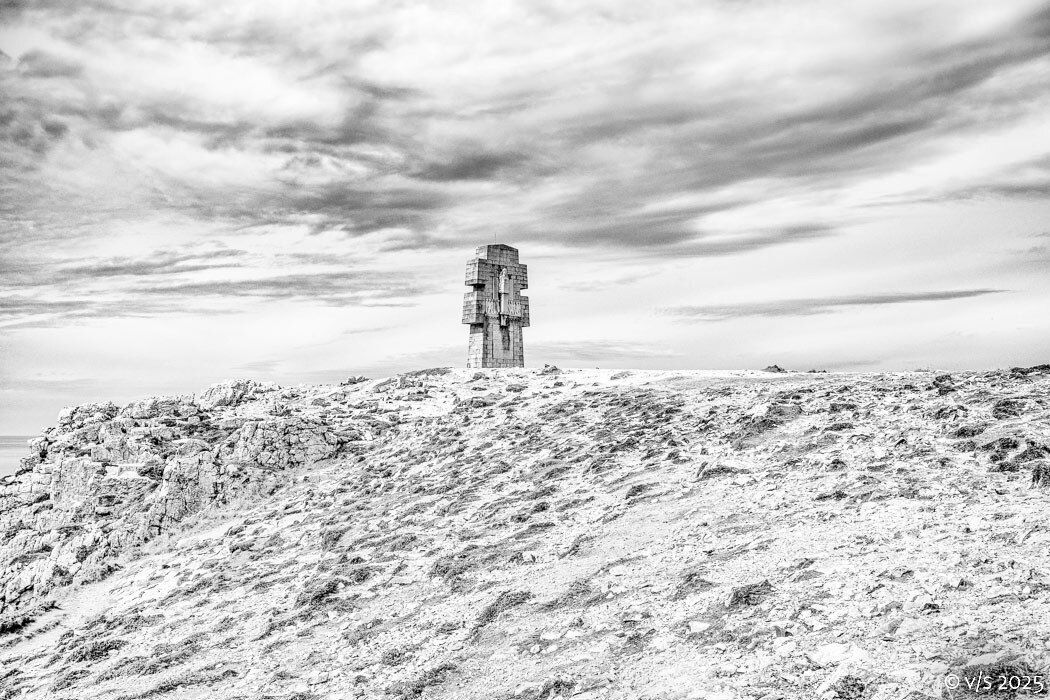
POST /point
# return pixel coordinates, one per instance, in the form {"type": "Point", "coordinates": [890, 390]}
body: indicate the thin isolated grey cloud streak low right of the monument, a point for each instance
{"type": "Point", "coordinates": [816, 306]}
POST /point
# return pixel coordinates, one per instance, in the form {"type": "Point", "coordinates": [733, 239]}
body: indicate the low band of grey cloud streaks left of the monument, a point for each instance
{"type": "Point", "coordinates": [43, 292]}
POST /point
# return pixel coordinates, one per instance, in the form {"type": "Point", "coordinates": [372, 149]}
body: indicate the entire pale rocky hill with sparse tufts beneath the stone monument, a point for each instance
{"type": "Point", "coordinates": [455, 534]}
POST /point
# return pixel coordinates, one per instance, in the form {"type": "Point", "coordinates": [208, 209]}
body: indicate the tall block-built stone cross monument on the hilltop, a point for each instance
{"type": "Point", "coordinates": [495, 308]}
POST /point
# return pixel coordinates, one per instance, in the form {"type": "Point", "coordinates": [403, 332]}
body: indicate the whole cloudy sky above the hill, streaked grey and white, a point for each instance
{"type": "Point", "coordinates": [195, 192]}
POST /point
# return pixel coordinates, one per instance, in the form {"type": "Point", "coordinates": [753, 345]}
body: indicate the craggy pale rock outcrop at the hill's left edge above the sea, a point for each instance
{"type": "Point", "coordinates": [109, 478]}
